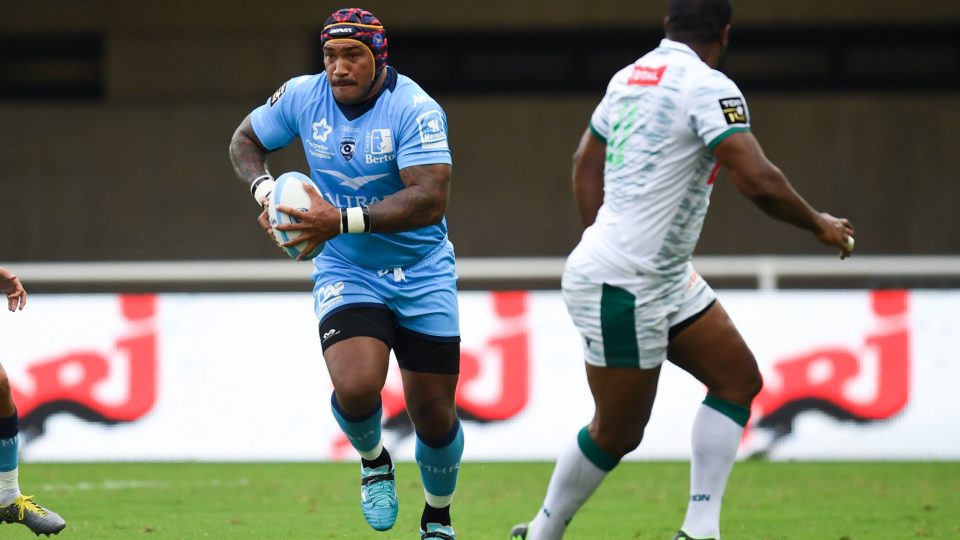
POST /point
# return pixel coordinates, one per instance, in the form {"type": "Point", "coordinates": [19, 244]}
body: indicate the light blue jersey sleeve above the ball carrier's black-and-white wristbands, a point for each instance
{"type": "Point", "coordinates": [422, 132]}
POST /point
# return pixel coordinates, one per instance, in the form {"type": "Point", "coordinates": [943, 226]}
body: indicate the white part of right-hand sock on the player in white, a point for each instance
{"type": "Point", "coordinates": [715, 439]}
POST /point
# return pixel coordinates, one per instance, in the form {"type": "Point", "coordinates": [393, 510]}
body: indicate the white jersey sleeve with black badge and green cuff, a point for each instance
{"type": "Point", "coordinates": [717, 109]}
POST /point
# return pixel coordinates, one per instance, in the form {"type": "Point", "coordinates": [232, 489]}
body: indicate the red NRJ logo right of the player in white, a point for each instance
{"type": "Point", "coordinates": [821, 380]}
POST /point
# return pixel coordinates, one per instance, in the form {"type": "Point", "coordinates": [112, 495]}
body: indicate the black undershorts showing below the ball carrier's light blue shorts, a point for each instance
{"type": "Point", "coordinates": [415, 351]}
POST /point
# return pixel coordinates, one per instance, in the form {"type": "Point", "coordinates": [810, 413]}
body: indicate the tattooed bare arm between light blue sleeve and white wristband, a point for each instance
{"type": "Point", "coordinates": [421, 203]}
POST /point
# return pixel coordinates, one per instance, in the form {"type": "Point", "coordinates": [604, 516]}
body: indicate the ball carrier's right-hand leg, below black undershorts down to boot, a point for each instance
{"type": "Point", "coordinates": [432, 408]}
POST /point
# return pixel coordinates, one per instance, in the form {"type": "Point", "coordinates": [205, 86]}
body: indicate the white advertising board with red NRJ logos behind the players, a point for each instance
{"type": "Point", "coordinates": [849, 375]}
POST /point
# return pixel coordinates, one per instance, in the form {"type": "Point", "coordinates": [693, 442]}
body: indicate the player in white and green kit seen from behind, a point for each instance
{"type": "Point", "coordinates": [643, 173]}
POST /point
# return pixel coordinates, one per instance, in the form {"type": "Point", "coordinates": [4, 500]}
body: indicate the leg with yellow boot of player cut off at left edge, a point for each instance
{"type": "Point", "coordinates": [14, 506]}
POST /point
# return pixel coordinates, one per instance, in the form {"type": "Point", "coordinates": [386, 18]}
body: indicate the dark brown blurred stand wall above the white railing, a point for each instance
{"type": "Point", "coordinates": [116, 118]}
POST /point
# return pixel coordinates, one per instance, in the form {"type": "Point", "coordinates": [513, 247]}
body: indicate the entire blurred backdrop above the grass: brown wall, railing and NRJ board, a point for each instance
{"type": "Point", "coordinates": [116, 118]}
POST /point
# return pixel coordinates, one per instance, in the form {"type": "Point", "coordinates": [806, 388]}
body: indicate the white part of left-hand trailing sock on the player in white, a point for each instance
{"type": "Point", "coordinates": [574, 479]}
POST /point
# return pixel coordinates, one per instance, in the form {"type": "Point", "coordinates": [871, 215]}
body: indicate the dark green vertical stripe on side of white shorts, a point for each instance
{"type": "Point", "coordinates": [618, 327]}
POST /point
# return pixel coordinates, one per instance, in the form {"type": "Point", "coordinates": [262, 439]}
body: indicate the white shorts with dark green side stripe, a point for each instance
{"type": "Point", "coordinates": [625, 321]}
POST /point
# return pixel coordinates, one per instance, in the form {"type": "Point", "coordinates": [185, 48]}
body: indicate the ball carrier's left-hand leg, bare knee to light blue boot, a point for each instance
{"type": "Point", "coordinates": [358, 369]}
